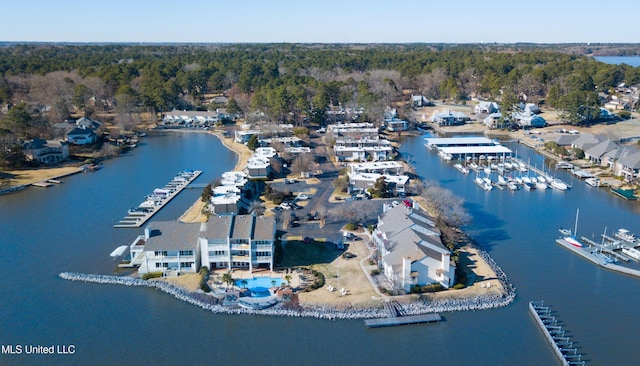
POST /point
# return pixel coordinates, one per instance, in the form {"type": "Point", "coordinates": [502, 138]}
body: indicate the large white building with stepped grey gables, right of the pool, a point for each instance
{"type": "Point", "coordinates": [411, 252]}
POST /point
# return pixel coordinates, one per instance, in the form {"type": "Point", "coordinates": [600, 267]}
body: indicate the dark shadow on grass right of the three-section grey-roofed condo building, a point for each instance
{"type": "Point", "coordinates": [299, 253]}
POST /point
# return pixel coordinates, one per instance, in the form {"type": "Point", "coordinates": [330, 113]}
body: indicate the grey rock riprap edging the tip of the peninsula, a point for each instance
{"type": "Point", "coordinates": [209, 303]}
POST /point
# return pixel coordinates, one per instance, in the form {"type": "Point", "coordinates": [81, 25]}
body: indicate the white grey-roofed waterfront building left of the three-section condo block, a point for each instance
{"type": "Point", "coordinates": [168, 246]}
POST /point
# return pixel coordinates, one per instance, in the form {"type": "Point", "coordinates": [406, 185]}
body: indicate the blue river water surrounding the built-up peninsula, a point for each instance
{"type": "Point", "coordinates": [68, 228]}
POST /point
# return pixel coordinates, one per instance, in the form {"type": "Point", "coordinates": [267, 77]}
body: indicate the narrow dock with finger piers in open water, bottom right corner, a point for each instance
{"type": "Point", "coordinates": [555, 335]}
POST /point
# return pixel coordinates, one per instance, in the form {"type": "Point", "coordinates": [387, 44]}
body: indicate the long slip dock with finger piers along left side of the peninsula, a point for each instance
{"type": "Point", "coordinates": [154, 202]}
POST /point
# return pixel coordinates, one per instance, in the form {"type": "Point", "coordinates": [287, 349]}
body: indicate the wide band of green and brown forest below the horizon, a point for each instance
{"type": "Point", "coordinates": [42, 84]}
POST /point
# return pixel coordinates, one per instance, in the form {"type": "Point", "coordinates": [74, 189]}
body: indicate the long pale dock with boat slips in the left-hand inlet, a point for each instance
{"type": "Point", "coordinates": [138, 218]}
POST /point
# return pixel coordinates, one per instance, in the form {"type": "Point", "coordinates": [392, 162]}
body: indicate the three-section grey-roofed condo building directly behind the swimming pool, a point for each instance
{"type": "Point", "coordinates": [238, 241]}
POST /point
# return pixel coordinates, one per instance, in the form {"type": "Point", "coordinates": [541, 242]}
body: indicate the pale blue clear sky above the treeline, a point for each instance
{"type": "Point", "coordinates": [326, 21]}
